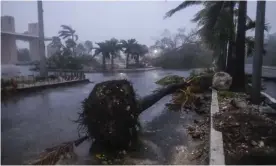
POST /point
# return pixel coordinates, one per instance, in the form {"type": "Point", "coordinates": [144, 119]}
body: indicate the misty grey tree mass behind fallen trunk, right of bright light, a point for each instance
{"type": "Point", "coordinates": [180, 51]}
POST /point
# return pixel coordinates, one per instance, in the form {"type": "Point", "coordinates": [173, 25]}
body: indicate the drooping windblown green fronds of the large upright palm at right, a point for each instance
{"type": "Point", "coordinates": [217, 22]}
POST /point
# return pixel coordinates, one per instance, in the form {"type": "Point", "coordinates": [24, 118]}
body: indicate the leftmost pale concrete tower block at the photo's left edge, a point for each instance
{"type": "Point", "coordinates": [8, 42]}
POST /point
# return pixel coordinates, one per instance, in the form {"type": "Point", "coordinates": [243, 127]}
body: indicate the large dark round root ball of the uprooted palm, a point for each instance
{"type": "Point", "coordinates": [110, 114]}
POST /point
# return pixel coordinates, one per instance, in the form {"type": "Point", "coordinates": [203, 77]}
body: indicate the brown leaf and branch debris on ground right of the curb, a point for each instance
{"type": "Point", "coordinates": [245, 130]}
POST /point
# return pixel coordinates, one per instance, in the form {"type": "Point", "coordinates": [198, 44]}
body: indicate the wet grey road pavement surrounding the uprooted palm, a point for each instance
{"type": "Point", "coordinates": [40, 120]}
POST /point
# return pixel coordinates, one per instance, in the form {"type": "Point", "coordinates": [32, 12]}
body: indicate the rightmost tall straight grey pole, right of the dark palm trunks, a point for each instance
{"type": "Point", "coordinates": [258, 56]}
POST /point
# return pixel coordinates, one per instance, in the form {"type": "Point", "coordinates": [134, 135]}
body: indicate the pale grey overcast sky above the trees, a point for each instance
{"type": "Point", "coordinates": [101, 20]}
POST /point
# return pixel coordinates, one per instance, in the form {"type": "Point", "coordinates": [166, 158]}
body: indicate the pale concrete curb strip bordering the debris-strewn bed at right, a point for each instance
{"type": "Point", "coordinates": [216, 140]}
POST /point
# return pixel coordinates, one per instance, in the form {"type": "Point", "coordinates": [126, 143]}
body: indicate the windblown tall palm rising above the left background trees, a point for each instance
{"type": "Point", "coordinates": [70, 34]}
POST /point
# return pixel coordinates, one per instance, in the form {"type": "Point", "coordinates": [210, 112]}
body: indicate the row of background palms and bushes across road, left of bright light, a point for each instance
{"type": "Point", "coordinates": [72, 55]}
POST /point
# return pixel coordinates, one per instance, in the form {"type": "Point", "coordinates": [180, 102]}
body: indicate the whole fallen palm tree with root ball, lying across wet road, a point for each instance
{"type": "Point", "coordinates": [110, 113]}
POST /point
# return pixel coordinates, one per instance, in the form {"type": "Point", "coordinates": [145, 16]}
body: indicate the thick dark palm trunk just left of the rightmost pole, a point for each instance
{"type": "Point", "coordinates": [239, 74]}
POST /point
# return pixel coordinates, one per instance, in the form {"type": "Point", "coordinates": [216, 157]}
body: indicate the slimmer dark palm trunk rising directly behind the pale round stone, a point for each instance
{"type": "Point", "coordinates": [229, 65]}
